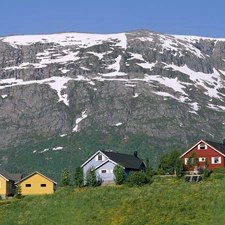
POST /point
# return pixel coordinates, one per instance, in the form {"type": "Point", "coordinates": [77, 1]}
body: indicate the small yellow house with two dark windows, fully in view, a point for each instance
{"type": "Point", "coordinates": [35, 184]}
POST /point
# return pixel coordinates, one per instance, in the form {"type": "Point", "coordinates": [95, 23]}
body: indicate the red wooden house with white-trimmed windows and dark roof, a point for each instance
{"type": "Point", "coordinates": [213, 151]}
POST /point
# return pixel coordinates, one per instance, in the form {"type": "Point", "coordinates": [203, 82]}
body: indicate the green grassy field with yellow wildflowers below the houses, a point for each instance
{"type": "Point", "coordinates": [164, 202]}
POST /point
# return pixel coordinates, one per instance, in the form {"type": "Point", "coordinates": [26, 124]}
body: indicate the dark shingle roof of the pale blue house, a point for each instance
{"type": "Point", "coordinates": [125, 160]}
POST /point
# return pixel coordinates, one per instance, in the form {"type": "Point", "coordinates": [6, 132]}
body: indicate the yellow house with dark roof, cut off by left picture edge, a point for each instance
{"type": "Point", "coordinates": [7, 183]}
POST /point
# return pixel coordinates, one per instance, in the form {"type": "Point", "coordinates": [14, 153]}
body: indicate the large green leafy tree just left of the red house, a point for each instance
{"type": "Point", "coordinates": [167, 160]}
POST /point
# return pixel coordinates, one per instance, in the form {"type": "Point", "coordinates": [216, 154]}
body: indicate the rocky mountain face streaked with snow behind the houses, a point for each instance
{"type": "Point", "coordinates": [56, 88]}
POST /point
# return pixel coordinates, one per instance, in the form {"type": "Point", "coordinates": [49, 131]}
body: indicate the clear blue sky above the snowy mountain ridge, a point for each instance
{"type": "Point", "coordinates": [187, 17]}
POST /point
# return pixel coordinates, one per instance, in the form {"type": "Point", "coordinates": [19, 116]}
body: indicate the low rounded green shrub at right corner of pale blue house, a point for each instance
{"type": "Point", "coordinates": [137, 178]}
